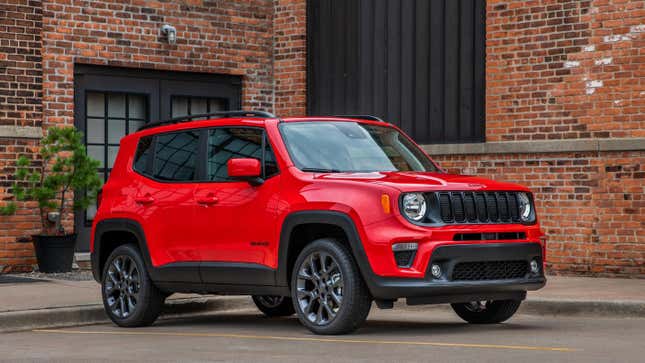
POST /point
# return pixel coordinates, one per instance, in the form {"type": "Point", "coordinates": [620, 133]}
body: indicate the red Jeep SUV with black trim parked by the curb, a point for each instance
{"type": "Point", "coordinates": [317, 216]}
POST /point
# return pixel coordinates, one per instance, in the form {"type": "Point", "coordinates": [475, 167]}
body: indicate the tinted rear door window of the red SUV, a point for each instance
{"type": "Point", "coordinates": [176, 156]}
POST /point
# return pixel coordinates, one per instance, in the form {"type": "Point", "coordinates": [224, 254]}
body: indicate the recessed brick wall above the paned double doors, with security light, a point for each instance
{"type": "Point", "coordinates": [228, 37]}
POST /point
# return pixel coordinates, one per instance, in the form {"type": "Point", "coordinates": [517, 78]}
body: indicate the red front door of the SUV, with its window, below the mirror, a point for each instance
{"type": "Point", "coordinates": [238, 222]}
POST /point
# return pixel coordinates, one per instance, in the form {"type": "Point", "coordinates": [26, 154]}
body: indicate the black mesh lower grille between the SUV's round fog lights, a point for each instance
{"type": "Point", "coordinates": [489, 270]}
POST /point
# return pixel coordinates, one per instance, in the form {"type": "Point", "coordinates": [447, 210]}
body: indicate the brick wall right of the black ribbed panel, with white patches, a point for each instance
{"type": "Point", "coordinates": [572, 71]}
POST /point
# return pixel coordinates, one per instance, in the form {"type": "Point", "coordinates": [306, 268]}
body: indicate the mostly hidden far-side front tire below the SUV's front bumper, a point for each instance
{"type": "Point", "coordinates": [487, 312]}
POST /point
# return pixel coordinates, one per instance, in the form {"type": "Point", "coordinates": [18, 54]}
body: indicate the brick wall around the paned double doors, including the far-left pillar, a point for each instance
{"type": "Point", "coordinates": [226, 37]}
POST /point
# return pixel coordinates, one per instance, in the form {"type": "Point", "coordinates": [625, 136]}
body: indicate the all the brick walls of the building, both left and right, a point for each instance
{"type": "Point", "coordinates": [565, 70]}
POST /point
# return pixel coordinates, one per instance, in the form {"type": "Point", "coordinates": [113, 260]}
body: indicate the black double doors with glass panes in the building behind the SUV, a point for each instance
{"type": "Point", "coordinates": [110, 103]}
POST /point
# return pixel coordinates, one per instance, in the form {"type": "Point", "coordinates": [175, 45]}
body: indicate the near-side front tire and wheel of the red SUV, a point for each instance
{"type": "Point", "coordinates": [333, 300]}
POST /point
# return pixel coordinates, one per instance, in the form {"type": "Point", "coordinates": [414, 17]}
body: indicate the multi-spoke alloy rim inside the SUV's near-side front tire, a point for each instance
{"type": "Point", "coordinates": [320, 288]}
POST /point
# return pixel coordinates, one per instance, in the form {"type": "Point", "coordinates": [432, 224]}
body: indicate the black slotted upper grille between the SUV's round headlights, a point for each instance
{"type": "Point", "coordinates": [477, 207]}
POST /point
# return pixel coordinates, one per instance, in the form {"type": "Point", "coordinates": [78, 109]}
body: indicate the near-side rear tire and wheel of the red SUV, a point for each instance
{"type": "Point", "coordinates": [129, 296]}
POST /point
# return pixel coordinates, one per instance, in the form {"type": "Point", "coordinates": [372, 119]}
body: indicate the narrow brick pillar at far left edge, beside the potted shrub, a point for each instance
{"type": "Point", "coordinates": [20, 105]}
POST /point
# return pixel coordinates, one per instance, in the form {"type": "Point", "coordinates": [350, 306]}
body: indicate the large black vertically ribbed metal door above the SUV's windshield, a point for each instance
{"type": "Point", "coordinates": [416, 63]}
